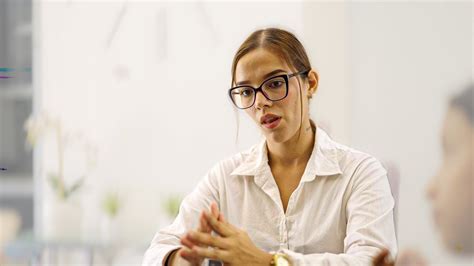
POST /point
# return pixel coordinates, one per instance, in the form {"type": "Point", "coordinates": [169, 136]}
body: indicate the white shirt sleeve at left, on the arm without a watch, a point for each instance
{"type": "Point", "coordinates": [168, 239]}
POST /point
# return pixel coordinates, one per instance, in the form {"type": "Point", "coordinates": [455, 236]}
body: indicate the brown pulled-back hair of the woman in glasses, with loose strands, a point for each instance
{"type": "Point", "coordinates": [278, 41]}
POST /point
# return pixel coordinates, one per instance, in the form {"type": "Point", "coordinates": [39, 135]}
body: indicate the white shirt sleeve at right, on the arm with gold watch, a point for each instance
{"type": "Point", "coordinates": [370, 224]}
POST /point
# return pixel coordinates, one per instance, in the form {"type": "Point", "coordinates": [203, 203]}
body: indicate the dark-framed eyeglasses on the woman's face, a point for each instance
{"type": "Point", "coordinates": [274, 89]}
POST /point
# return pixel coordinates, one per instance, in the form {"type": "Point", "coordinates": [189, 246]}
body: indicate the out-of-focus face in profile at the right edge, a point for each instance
{"type": "Point", "coordinates": [451, 191]}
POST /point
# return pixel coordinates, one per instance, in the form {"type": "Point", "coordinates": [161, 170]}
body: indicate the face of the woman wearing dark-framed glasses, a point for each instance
{"type": "Point", "coordinates": [259, 65]}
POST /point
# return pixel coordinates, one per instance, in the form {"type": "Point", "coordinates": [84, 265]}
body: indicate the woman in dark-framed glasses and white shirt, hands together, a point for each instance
{"type": "Point", "coordinates": [295, 198]}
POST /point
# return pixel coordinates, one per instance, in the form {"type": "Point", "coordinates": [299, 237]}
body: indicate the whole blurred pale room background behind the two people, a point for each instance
{"type": "Point", "coordinates": [112, 111]}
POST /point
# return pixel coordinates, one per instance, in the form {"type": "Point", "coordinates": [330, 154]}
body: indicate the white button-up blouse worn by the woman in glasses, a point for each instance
{"type": "Point", "coordinates": [341, 213]}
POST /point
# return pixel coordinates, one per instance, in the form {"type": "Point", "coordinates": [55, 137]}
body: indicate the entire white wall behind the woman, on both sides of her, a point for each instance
{"type": "Point", "coordinates": [385, 70]}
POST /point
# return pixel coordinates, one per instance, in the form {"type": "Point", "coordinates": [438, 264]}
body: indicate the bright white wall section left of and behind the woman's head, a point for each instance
{"type": "Point", "coordinates": [141, 97]}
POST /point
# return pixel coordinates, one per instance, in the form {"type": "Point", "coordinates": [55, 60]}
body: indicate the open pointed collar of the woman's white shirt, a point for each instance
{"type": "Point", "coordinates": [322, 162]}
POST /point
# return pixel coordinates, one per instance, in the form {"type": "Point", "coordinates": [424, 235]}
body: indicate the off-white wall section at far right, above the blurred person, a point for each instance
{"type": "Point", "coordinates": [406, 59]}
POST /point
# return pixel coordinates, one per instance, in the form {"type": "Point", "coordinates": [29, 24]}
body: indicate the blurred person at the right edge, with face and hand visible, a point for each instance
{"type": "Point", "coordinates": [451, 191]}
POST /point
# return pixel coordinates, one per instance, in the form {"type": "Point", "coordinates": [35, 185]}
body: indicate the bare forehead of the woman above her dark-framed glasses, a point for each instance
{"type": "Point", "coordinates": [253, 66]}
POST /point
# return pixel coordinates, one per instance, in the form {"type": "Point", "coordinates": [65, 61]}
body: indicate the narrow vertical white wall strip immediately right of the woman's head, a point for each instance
{"type": "Point", "coordinates": [325, 39]}
